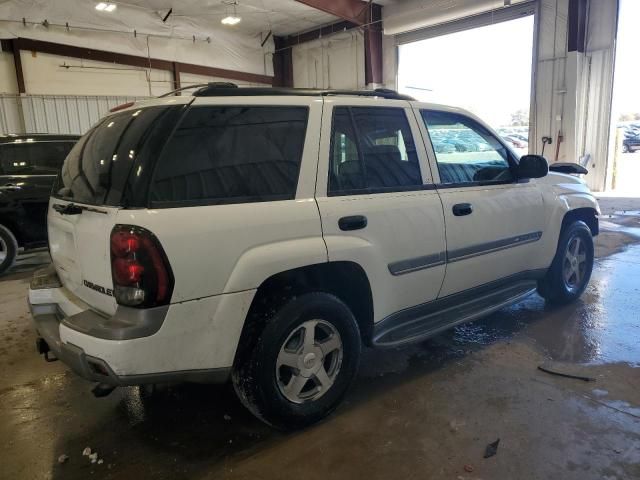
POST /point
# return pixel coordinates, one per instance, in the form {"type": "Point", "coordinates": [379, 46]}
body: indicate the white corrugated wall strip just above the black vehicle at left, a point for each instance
{"type": "Point", "coordinates": [54, 113]}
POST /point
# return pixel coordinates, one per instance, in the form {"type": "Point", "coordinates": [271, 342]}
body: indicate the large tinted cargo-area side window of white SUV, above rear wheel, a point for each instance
{"type": "Point", "coordinates": [234, 154]}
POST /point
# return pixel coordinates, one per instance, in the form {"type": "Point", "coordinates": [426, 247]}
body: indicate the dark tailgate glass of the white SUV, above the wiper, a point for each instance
{"type": "Point", "coordinates": [97, 170]}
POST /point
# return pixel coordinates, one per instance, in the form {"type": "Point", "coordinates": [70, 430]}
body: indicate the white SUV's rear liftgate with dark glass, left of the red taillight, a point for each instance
{"type": "Point", "coordinates": [105, 171]}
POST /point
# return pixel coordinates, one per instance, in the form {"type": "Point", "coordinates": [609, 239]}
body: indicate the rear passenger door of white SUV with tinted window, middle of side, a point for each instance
{"type": "Point", "coordinates": [377, 201]}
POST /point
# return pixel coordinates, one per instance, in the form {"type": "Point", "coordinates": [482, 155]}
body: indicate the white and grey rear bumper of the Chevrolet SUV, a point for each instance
{"type": "Point", "coordinates": [192, 341]}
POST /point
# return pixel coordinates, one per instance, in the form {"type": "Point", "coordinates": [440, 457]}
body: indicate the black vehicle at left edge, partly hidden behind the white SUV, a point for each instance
{"type": "Point", "coordinates": [29, 165]}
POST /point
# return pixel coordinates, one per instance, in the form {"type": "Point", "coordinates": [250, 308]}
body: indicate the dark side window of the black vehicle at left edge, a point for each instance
{"type": "Point", "coordinates": [37, 158]}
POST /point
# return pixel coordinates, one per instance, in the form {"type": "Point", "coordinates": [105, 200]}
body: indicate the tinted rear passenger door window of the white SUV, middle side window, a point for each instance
{"type": "Point", "coordinates": [372, 149]}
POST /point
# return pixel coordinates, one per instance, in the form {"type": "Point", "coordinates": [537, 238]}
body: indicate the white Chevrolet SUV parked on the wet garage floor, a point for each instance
{"type": "Point", "coordinates": [265, 235]}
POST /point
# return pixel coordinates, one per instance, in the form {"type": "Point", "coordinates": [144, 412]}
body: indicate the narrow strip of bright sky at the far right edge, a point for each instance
{"type": "Point", "coordinates": [626, 90]}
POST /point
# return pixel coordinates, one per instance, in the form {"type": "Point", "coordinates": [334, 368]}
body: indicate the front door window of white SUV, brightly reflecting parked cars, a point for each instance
{"type": "Point", "coordinates": [466, 152]}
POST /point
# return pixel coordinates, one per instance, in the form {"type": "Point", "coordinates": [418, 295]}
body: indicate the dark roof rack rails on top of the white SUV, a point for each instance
{"type": "Point", "coordinates": [224, 89]}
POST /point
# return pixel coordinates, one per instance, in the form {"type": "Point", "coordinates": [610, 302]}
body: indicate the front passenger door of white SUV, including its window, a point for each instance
{"type": "Point", "coordinates": [493, 222]}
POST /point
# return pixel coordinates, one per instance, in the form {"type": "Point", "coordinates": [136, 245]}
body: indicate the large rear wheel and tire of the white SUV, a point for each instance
{"type": "Point", "coordinates": [282, 380]}
